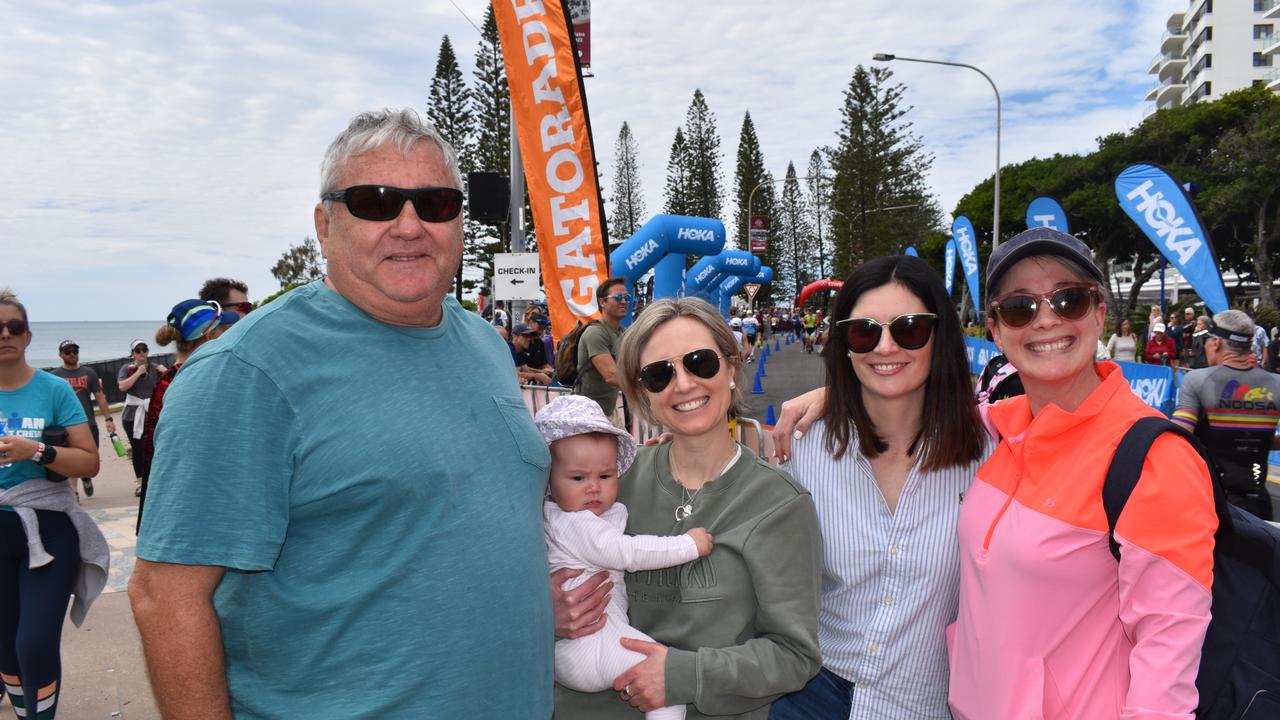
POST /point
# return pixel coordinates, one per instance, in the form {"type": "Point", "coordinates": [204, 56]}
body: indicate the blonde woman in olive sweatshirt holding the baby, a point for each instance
{"type": "Point", "coordinates": [734, 630]}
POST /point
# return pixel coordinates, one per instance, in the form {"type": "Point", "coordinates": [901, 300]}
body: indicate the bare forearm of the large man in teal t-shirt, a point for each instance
{"type": "Point", "coordinates": [173, 607]}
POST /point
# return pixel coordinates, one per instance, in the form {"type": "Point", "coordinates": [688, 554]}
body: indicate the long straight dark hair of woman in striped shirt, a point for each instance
{"type": "Point", "coordinates": [950, 429]}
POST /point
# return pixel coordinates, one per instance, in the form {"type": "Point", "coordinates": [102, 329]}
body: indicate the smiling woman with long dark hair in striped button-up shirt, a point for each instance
{"type": "Point", "coordinates": [889, 462]}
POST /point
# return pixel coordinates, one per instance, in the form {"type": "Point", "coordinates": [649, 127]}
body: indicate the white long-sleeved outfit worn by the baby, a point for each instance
{"type": "Point", "coordinates": [597, 543]}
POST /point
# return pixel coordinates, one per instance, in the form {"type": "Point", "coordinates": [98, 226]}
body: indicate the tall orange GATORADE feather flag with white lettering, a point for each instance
{"type": "Point", "coordinates": [560, 162]}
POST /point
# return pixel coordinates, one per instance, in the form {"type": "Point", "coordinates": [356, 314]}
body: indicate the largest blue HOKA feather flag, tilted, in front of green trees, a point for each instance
{"type": "Point", "coordinates": [1164, 212]}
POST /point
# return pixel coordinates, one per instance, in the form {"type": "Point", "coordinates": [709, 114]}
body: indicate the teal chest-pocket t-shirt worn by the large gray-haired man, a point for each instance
{"type": "Point", "coordinates": [376, 494]}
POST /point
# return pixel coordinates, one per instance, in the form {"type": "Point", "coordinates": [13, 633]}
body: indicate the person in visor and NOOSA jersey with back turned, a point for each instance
{"type": "Point", "coordinates": [1233, 409]}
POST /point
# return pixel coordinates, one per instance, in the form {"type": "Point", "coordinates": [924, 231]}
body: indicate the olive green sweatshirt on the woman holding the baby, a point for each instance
{"type": "Point", "coordinates": [742, 625]}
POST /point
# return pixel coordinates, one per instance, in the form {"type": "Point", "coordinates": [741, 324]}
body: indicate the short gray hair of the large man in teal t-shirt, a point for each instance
{"type": "Point", "coordinates": [371, 131]}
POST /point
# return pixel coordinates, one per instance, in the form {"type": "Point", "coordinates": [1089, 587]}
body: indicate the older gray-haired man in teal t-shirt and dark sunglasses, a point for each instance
{"type": "Point", "coordinates": [344, 516]}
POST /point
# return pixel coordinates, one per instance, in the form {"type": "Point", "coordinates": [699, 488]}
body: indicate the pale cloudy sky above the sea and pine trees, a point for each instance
{"type": "Point", "coordinates": [149, 145]}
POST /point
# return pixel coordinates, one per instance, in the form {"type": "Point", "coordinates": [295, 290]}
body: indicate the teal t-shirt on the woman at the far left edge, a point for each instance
{"type": "Point", "coordinates": [44, 402]}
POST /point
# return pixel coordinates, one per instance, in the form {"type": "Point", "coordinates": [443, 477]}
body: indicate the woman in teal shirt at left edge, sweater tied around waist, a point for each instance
{"type": "Point", "coordinates": [49, 548]}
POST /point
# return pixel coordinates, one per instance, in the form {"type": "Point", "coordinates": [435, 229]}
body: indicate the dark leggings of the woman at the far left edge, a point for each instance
{"type": "Point", "coordinates": [30, 662]}
